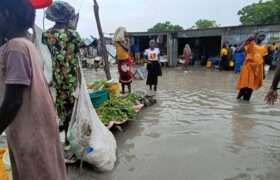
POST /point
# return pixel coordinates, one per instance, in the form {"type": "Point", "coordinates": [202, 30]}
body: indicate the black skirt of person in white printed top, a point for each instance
{"type": "Point", "coordinates": [154, 70]}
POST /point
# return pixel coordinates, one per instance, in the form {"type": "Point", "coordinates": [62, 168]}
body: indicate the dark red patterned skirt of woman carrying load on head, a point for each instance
{"type": "Point", "coordinates": [125, 71]}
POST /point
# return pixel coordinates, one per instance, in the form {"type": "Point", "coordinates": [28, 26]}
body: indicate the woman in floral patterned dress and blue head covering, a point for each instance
{"type": "Point", "coordinates": [64, 44]}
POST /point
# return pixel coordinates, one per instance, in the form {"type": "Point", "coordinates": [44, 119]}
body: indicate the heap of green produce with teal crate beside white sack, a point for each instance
{"type": "Point", "coordinates": [114, 109]}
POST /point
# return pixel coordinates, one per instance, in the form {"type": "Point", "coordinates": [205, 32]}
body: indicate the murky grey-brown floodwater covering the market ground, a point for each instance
{"type": "Point", "coordinates": [197, 131]}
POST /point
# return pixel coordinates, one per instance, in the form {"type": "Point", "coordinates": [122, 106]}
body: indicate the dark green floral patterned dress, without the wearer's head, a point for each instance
{"type": "Point", "coordinates": [64, 46]}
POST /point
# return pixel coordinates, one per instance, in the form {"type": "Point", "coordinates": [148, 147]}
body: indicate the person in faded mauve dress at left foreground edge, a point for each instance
{"type": "Point", "coordinates": [27, 112]}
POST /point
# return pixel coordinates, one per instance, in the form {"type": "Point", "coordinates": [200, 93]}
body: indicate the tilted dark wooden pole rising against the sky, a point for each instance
{"type": "Point", "coordinates": [103, 46]}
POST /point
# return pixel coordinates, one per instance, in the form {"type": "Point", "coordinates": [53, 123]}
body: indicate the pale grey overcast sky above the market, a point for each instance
{"type": "Point", "coordinates": [139, 15]}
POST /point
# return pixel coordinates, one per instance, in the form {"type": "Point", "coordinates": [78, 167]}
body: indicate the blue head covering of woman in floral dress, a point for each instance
{"type": "Point", "coordinates": [60, 12]}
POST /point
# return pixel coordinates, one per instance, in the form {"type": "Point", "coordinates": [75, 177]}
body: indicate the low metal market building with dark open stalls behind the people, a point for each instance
{"type": "Point", "coordinates": [205, 43]}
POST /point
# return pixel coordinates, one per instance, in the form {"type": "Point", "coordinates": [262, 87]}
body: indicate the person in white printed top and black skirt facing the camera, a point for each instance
{"type": "Point", "coordinates": [152, 56]}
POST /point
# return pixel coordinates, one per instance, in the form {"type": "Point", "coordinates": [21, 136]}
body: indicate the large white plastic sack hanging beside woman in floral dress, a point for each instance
{"type": "Point", "coordinates": [89, 139]}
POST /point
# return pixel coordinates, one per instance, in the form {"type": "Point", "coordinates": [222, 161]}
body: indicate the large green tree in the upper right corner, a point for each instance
{"type": "Point", "coordinates": [263, 12]}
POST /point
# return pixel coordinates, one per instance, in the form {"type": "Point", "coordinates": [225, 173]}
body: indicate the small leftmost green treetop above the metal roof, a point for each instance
{"type": "Point", "coordinates": [165, 26]}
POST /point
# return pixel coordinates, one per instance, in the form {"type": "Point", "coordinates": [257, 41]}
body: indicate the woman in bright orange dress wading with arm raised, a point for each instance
{"type": "Point", "coordinates": [252, 74]}
